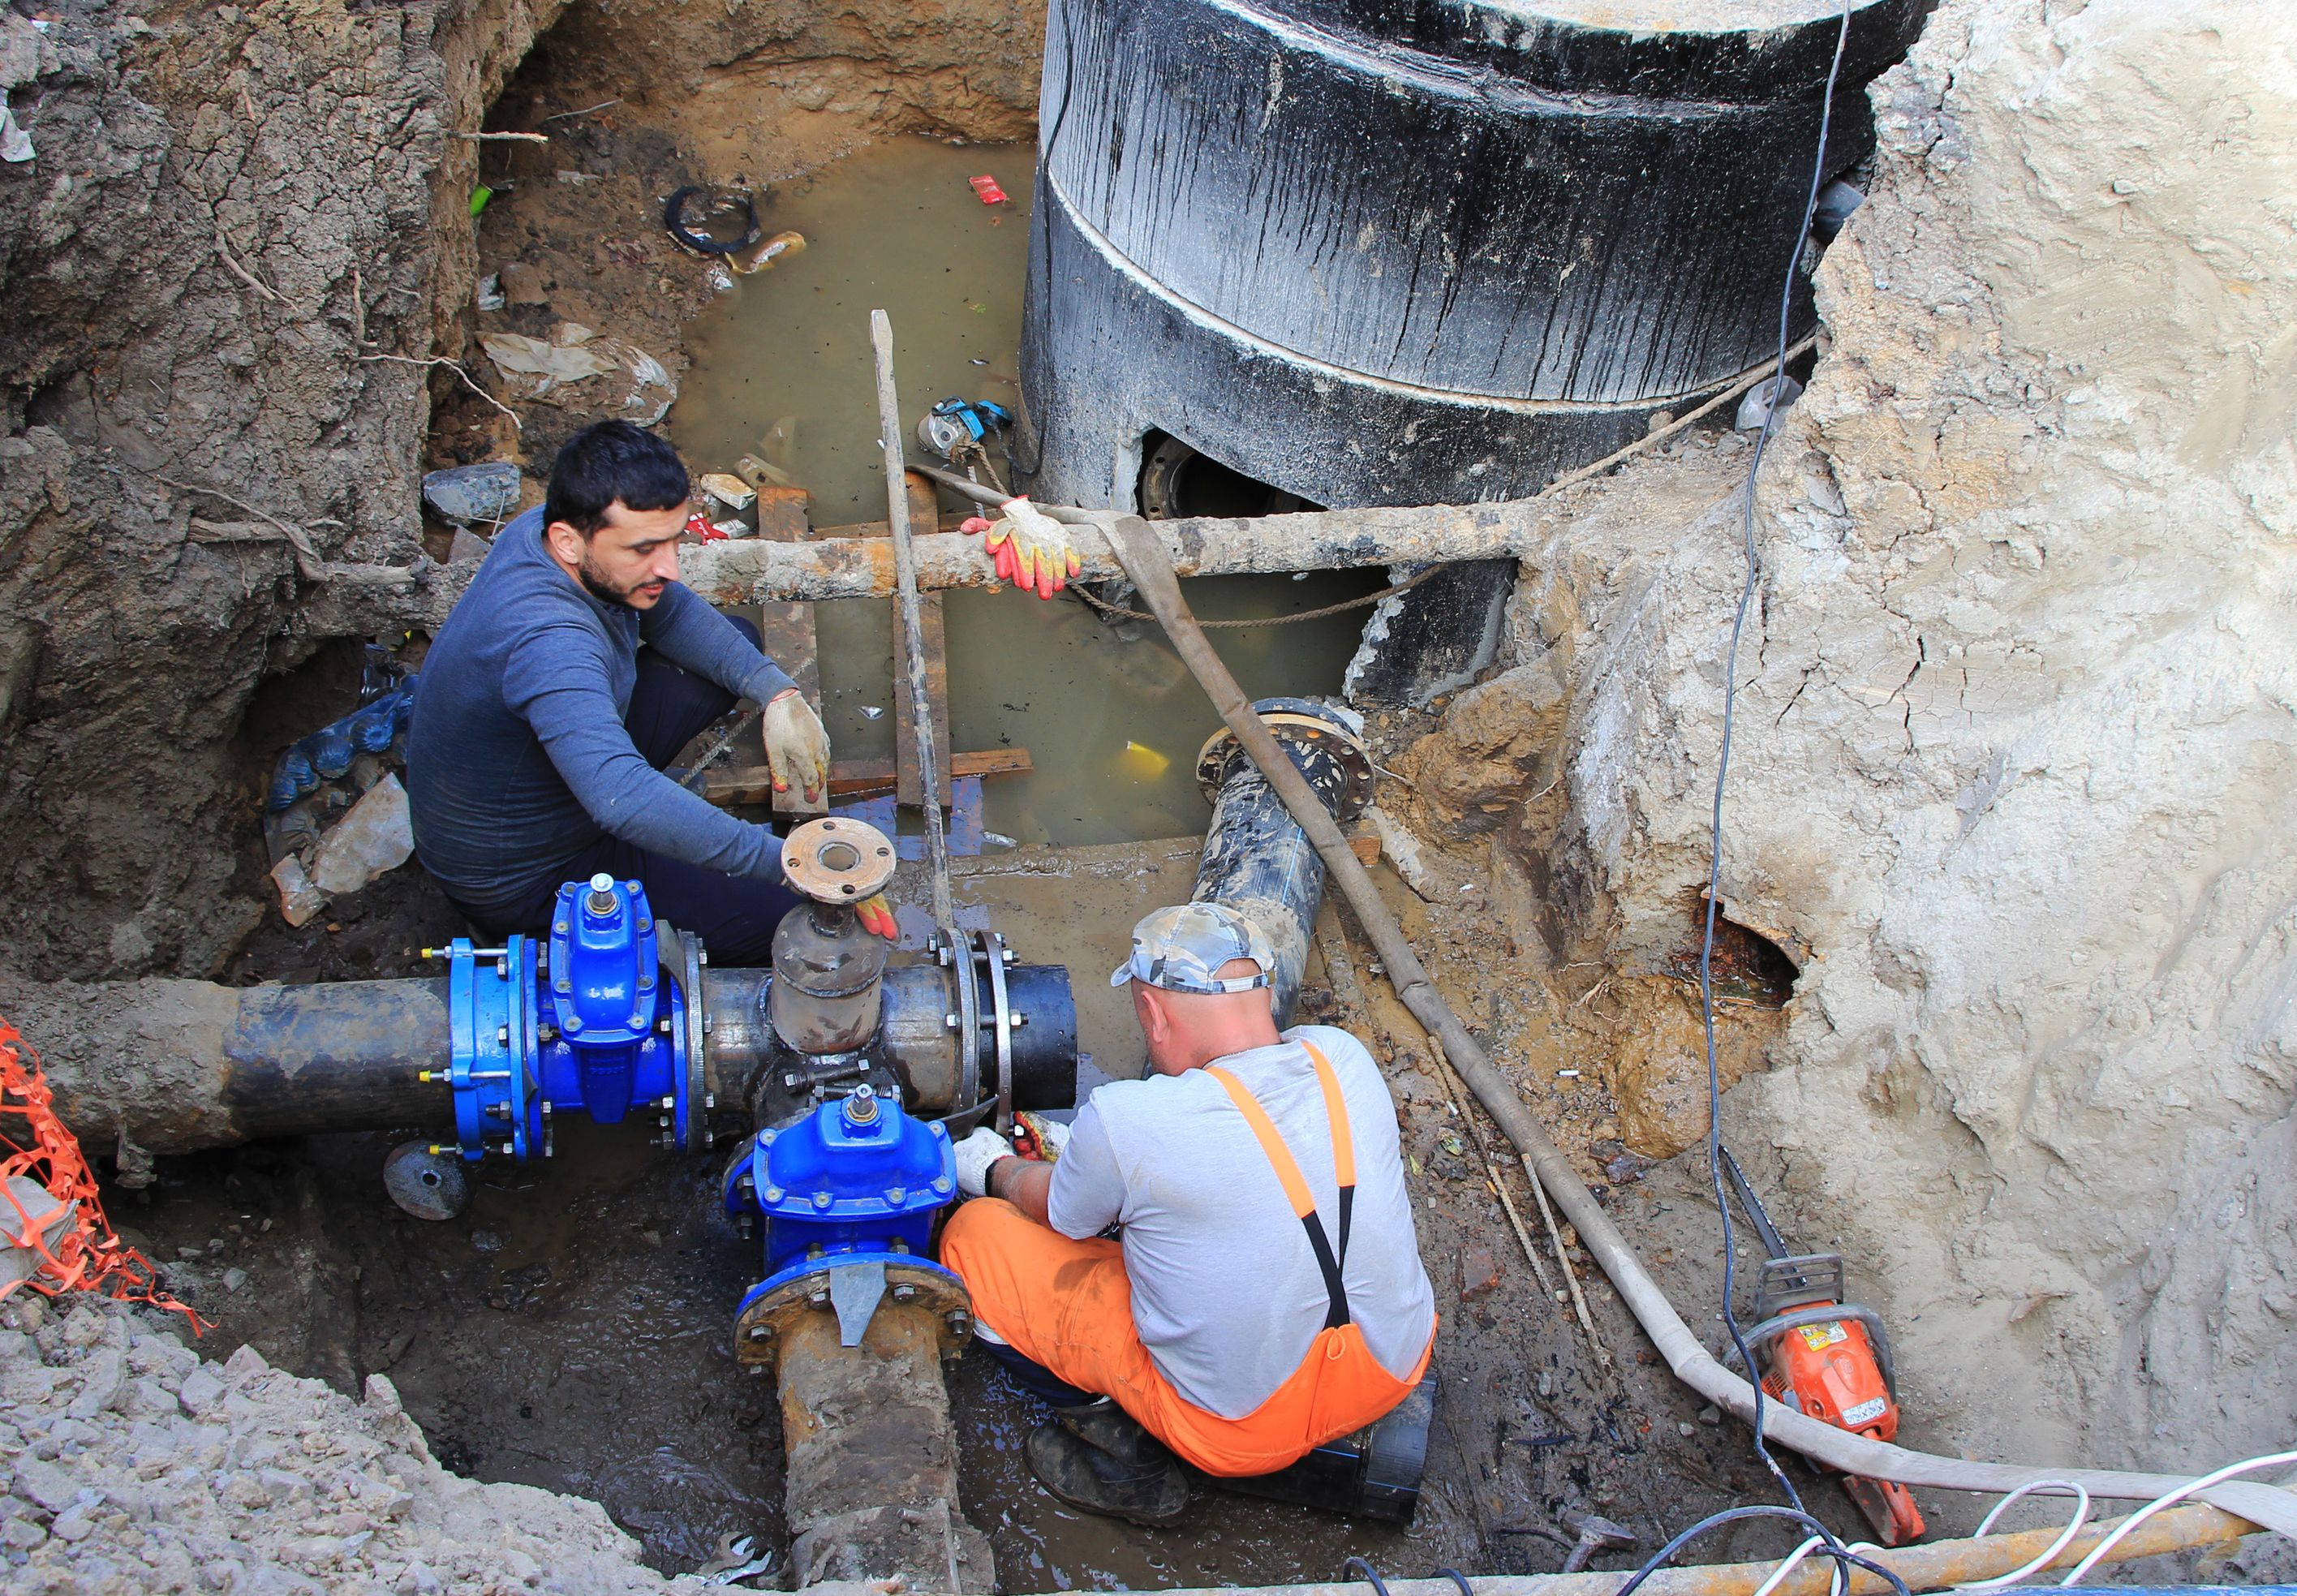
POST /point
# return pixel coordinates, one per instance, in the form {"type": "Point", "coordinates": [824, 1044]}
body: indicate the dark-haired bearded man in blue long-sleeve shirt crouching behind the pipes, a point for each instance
{"type": "Point", "coordinates": [569, 676]}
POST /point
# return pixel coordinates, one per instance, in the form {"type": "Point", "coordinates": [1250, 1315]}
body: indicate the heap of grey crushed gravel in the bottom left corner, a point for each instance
{"type": "Point", "coordinates": [137, 1466]}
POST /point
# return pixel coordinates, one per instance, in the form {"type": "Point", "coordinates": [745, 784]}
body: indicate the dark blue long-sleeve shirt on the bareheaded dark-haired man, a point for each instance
{"type": "Point", "coordinates": [518, 757]}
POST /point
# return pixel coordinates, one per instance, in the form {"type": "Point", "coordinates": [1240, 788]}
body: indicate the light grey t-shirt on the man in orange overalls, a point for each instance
{"type": "Point", "coordinates": [1225, 1289]}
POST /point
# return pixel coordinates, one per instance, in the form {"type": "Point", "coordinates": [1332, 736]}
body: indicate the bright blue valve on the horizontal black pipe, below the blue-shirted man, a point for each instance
{"type": "Point", "coordinates": [580, 1035]}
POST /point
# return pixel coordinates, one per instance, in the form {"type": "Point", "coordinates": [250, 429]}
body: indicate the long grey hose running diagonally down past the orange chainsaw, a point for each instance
{"type": "Point", "coordinates": [1152, 573]}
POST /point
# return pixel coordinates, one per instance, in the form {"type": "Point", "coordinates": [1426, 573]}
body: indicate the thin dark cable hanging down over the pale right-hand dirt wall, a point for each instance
{"type": "Point", "coordinates": [1731, 699]}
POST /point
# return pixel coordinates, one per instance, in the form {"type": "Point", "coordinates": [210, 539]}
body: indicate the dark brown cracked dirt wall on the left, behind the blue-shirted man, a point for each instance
{"type": "Point", "coordinates": [222, 206]}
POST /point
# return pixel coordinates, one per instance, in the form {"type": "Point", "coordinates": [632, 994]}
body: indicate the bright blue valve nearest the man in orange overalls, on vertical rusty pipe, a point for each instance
{"type": "Point", "coordinates": [853, 1181]}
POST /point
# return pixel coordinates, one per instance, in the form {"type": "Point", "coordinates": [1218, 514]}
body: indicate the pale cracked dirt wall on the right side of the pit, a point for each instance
{"type": "Point", "coordinates": [2016, 729]}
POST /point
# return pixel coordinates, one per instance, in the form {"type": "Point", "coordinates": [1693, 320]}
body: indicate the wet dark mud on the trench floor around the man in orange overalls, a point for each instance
{"type": "Point", "coordinates": [571, 1328]}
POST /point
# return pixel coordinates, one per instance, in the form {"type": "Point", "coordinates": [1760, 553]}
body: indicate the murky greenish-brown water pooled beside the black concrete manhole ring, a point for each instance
{"type": "Point", "coordinates": [782, 369]}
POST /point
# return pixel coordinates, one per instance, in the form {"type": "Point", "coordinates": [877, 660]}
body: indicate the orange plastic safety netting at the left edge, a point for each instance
{"type": "Point", "coordinates": [75, 1241]}
